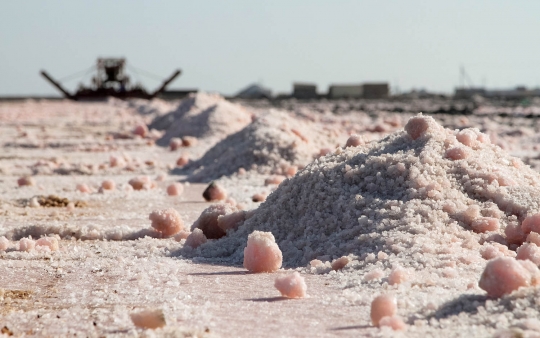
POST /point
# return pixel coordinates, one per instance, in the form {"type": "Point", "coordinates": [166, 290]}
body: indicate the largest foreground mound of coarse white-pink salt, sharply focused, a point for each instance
{"type": "Point", "coordinates": [408, 195]}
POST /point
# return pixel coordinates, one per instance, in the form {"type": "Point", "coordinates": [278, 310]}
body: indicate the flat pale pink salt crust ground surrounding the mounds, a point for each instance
{"type": "Point", "coordinates": [91, 286]}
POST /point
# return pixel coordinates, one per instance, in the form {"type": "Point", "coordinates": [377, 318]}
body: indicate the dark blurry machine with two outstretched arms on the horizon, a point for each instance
{"type": "Point", "coordinates": [110, 80]}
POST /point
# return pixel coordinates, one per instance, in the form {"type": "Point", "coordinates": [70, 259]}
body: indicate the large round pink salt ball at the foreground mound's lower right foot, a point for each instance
{"type": "Point", "coordinates": [503, 275]}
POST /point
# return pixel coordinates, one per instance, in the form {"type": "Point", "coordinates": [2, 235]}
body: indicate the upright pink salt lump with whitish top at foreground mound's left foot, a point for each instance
{"type": "Point", "coordinates": [262, 254]}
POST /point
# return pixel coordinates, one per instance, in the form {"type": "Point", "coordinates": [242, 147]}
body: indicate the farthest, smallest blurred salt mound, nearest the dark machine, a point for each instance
{"type": "Point", "coordinates": [202, 115]}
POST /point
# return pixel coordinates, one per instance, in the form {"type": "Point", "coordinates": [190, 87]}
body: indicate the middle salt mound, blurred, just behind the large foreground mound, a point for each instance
{"type": "Point", "coordinates": [273, 142]}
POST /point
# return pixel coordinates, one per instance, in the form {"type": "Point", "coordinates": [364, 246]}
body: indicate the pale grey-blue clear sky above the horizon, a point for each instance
{"type": "Point", "coordinates": [224, 46]}
